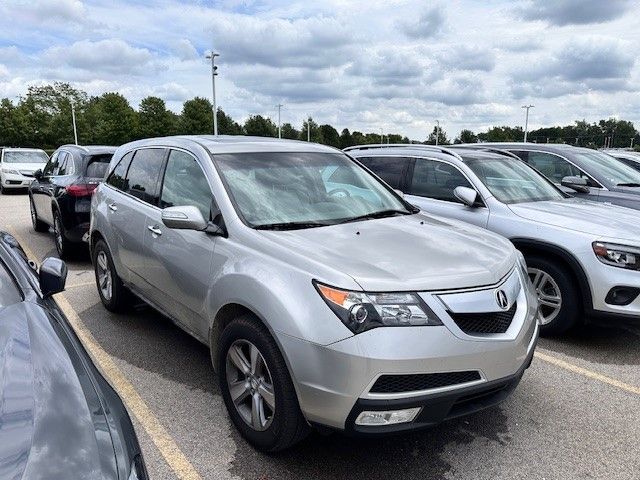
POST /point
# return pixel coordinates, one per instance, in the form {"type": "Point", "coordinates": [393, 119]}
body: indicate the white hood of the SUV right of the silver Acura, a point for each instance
{"type": "Point", "coordinates": [598, 219]}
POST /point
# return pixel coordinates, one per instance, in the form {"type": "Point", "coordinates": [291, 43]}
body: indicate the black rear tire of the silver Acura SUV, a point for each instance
{"type": "Point", "coordinates": [114, 295]}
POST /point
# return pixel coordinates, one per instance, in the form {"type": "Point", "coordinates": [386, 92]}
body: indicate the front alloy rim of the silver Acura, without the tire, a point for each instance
{"type": "Point", "coordinates": [250, 385]}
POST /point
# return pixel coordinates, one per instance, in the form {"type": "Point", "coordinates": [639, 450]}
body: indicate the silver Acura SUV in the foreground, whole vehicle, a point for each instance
{"type": "Point", "coordinates": [352, 312]}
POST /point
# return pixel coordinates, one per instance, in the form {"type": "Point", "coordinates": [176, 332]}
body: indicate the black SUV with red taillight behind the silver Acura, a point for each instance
{"type": "Point", "coordinates": [60, 195]}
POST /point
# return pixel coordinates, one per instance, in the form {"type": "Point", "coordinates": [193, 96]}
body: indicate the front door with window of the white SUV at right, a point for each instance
{"type": "Point", "coordinates": [431, 185]}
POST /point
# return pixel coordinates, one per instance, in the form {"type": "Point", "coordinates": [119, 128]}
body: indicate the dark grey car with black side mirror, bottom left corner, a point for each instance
{"type": "Point", "coordinates": [59, 417]}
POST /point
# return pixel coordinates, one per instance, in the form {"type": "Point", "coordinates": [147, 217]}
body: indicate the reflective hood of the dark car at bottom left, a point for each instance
{"type": "Point", "coordinates": [52, 425]}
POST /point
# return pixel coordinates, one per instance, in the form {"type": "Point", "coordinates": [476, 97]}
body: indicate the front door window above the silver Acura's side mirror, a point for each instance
{"type": "Point", "coordinates": [185, 184]}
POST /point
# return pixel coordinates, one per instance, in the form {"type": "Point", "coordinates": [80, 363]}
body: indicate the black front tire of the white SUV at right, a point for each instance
{"type": "Point", "coordinates": [550, 276]}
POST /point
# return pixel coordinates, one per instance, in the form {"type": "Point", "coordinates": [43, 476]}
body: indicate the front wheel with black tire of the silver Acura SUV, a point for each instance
{"type": "Point", "coordinates": [285, 425]}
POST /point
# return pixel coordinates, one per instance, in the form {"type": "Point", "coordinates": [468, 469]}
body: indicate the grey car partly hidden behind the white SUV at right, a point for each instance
{"type": "Point", "coordinates": [587, 173]}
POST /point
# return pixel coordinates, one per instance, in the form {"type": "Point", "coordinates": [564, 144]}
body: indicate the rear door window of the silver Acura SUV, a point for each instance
{"type": "Point", "coordinates": [144, 174]}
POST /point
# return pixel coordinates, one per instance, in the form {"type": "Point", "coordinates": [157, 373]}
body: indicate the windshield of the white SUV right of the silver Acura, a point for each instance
{"type": "Point", "coordinates": [512, 181]}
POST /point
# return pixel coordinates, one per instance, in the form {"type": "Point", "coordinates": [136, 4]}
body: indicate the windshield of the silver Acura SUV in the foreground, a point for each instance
{"type": "Point", "coordinates": [303, 189]}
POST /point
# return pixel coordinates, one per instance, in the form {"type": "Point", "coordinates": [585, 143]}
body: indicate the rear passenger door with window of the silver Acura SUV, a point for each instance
{"type": "Point", "coordinates": [134, 196]}
